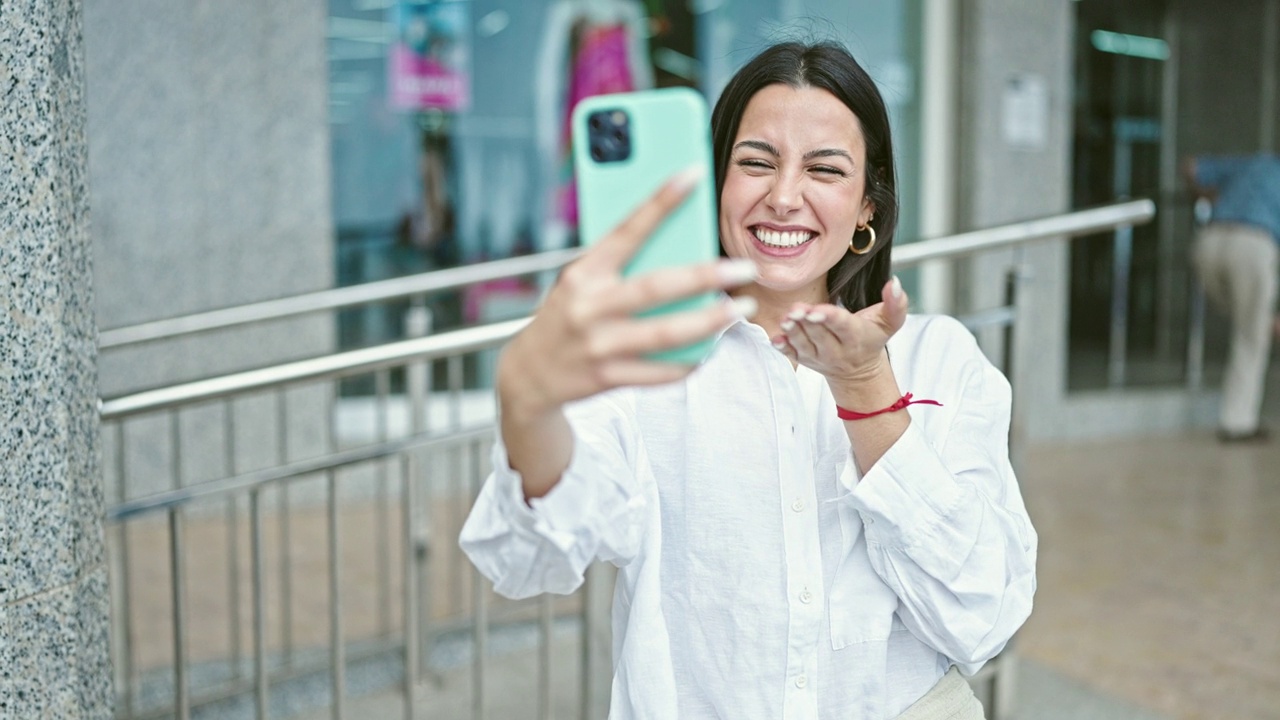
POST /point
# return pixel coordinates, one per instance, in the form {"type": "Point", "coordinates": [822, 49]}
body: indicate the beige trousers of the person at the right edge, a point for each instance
{"type": "Point", "coordinates": [1238, 267]}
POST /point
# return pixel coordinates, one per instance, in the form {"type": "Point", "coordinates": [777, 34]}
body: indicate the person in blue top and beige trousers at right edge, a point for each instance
{"type": "Point", "coordinates": [1237, 258]}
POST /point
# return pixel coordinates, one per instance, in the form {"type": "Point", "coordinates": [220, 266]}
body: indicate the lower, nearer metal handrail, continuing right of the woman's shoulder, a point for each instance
{"type": "Point", "coordinates": [481, 338]}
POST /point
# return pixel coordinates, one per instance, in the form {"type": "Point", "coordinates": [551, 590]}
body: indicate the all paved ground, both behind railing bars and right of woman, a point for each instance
{"type": "Point", "coordinates": [1159, 577]}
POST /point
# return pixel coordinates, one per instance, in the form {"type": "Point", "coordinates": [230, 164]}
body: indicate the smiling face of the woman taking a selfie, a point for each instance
{"type": "Point", "coordinates": [794, 189]}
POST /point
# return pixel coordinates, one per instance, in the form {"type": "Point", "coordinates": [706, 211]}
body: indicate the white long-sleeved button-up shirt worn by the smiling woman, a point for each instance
{"type": "Point", "coordinates": [761, 575]}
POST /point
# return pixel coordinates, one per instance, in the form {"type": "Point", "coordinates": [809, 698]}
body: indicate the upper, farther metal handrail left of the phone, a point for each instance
{"type": "Point", "coordinates": [335, 299]}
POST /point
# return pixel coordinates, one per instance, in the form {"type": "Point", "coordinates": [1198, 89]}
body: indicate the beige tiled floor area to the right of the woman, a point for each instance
{"type": "Point", "coordinates": [1159, 569]}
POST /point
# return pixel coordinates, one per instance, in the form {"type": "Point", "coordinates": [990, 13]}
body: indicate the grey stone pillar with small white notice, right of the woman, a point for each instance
{"type": "Point", "coordinates": [1016, 148]}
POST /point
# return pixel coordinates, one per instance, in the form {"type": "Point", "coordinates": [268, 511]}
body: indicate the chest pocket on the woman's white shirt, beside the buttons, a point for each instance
{"type": "Point", "coordinates": [862, 605]}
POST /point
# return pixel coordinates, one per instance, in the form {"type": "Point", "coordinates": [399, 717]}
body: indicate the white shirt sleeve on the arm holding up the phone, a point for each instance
{"type": "Point", "coordinates": [596, 512]}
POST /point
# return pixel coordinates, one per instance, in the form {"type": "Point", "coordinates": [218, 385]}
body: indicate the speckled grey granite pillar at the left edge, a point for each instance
{"type": "Point", "coordinates": [53, 573]}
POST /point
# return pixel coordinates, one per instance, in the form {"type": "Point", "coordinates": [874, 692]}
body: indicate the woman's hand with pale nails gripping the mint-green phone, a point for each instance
{"type": "Point", "coordinates": [586, 339]}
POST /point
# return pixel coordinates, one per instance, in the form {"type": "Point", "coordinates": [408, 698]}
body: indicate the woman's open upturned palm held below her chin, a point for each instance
{"type": "Point", "coordinates": [847, 348]}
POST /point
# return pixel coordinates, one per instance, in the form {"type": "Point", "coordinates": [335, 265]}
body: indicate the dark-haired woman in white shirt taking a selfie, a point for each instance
{"type": "Point", "coordinates": [778, 559]}
